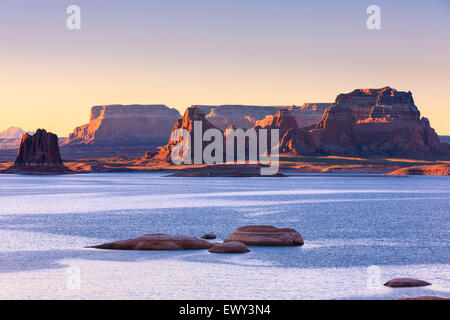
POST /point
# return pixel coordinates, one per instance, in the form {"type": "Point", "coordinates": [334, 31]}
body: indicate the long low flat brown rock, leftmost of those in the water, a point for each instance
{"type": "Point", "coordinates": [157, 241]}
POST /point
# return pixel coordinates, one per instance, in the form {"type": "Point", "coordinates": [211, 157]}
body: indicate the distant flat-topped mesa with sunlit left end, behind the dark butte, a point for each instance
{"type": "Point", "coordinates": [125, 125]}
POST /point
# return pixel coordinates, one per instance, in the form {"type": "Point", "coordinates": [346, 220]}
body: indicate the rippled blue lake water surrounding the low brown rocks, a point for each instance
{"type": "Point", "coordinates": [359, 232]}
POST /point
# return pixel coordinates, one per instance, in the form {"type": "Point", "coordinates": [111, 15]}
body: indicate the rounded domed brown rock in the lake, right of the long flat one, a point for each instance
{"type": "Point", "coordinates": [266, 236]}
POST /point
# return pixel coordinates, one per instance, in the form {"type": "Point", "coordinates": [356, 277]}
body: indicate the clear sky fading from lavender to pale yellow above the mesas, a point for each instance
{"type": "Point", "coordinates": [180, 53]}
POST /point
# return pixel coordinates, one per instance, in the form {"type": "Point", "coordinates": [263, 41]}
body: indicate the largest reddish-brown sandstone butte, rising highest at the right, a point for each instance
{"type": "Point", "coordinates": [364, 122]}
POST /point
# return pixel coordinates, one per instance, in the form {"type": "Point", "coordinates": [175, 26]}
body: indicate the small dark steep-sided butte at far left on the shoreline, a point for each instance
{"type": "Point", "coordinates": [38, 153]}
